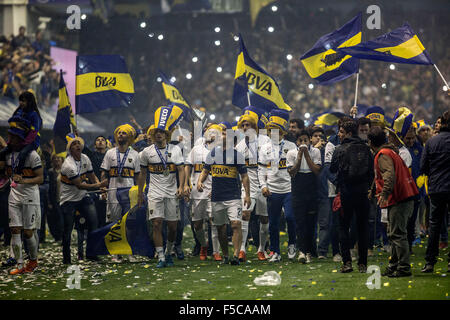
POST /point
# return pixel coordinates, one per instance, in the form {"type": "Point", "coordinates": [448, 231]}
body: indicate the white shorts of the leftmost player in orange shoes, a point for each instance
{"type": "Point", "coordinates": [27, 216]}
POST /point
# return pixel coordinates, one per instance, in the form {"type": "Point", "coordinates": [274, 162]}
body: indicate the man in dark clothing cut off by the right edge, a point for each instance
{"type": "Point", "coordinates": [435, 164]}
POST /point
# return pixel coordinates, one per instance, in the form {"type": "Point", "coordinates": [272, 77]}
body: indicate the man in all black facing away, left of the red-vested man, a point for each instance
{"type": "Point", "coordinates": [353, 163]}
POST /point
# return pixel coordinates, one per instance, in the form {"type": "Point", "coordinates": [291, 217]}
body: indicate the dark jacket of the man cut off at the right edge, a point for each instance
{"type": "Point", "coordinates": [435, 162]}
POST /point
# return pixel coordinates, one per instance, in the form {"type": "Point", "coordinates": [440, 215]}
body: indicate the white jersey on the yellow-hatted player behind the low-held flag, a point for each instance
{"type": "Point", "coordinates": [131, 168]}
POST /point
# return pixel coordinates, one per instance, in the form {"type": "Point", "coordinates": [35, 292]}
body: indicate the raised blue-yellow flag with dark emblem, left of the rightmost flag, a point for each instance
{"type": "Point", "coordinates": [327, 65]}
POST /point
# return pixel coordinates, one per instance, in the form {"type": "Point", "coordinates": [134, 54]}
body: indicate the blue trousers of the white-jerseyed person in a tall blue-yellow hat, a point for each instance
{"type": "Point", "coordinates": [274, 204]}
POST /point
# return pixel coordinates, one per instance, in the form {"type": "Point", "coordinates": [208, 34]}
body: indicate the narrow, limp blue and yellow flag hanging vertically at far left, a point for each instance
{"type": "Point", "coordinates": [65, 121]}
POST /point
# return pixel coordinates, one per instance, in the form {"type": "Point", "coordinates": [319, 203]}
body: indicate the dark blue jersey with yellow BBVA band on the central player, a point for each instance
{"type": "Point", "coordinates": [225, 174]}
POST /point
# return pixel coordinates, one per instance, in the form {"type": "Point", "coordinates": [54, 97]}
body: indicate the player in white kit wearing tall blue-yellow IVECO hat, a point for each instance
{"type": "Point", "coordinates": [163, 160]}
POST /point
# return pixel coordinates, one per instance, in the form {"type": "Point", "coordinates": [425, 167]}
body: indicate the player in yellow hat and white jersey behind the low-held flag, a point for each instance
{"type": "Point", "coordinates": [119, 169]}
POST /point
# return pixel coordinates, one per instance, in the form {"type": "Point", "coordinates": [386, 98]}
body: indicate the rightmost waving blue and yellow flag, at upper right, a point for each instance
{"type": "Point", "coordinates": [399, 46]}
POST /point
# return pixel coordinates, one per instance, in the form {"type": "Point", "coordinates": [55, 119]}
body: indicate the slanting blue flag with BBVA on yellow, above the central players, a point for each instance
{"type": "Point", "coordinates": [251, 78]}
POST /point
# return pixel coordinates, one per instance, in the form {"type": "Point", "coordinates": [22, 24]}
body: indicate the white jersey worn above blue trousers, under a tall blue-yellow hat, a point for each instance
{"type": "Point", "coordinates": [277, 179]}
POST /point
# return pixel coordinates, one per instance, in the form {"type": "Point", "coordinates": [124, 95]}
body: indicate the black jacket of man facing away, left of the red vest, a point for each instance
{"type": "Point", "coordinates": [338, 161]}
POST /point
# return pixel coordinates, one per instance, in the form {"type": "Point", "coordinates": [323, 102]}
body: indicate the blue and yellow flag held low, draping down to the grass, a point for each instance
{"type": "Point", "coordinates": [129, 235]}
